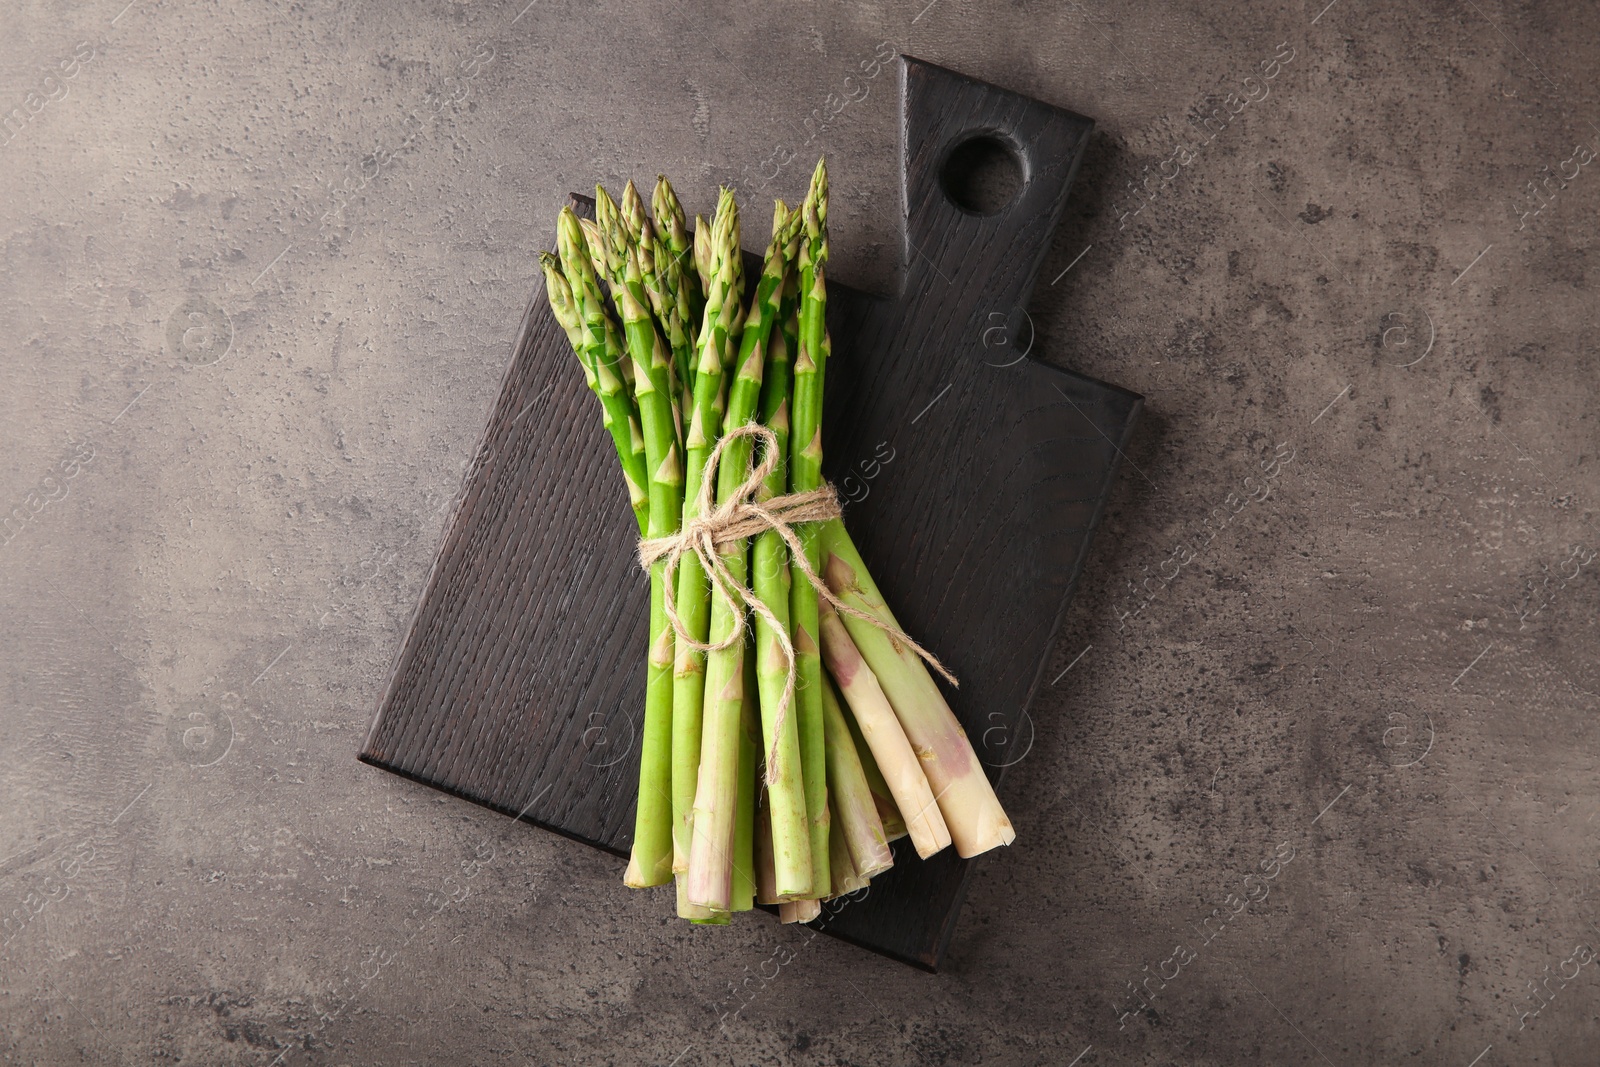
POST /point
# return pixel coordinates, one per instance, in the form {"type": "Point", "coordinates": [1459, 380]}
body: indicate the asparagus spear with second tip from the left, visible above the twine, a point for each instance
{"type": "Point", "coordinates": [602, 359]}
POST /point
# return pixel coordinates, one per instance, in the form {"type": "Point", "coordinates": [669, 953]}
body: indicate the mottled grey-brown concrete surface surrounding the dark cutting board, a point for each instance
{"type": "Point", "coordinates": [1338, 772]}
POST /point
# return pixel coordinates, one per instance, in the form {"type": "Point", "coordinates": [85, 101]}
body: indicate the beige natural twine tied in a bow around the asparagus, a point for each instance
{"type": "Point", "coordinates": [743, 518]}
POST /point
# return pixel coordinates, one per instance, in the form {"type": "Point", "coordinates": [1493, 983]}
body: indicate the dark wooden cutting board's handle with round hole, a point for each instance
{"type": "Point", "coordinates": [982, 257]}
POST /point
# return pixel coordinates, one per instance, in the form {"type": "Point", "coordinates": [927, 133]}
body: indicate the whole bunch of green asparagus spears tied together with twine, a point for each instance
{"type": "Point", "coordinates": [759, 780]}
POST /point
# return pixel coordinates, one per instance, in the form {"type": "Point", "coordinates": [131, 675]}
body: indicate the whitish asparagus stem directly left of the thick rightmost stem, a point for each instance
{"type": "Point", "coordinates": [886, 737]}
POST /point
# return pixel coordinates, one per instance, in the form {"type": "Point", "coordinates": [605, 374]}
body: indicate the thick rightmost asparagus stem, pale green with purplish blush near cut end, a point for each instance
{"type": "Point", "coordinates": [974, 813]}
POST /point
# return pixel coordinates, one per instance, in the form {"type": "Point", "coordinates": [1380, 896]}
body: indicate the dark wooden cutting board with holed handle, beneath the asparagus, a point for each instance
{"type": "Point", "coordinates": [974, 481]}
